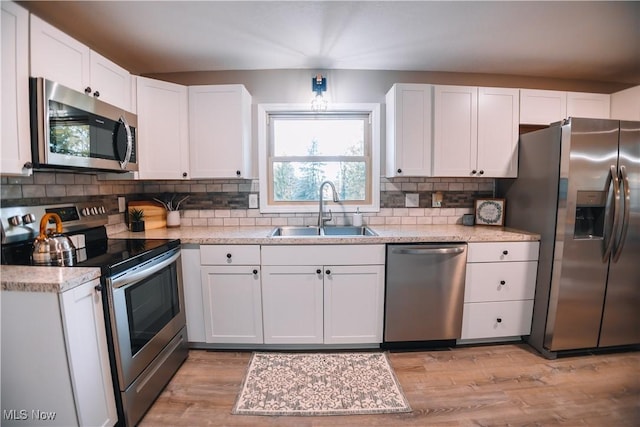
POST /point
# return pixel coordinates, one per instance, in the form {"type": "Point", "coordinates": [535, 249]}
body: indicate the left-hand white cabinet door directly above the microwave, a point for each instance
{"type": "Point", "coordinates": [58, 57]}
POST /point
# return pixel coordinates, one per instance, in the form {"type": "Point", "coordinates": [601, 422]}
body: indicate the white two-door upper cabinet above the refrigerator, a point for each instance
{"type": "Point", "coordinates": [542, 107]}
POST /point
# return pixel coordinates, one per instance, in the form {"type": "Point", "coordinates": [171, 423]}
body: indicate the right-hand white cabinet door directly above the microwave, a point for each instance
{"type": "Point", "coordinates": [110, 82]}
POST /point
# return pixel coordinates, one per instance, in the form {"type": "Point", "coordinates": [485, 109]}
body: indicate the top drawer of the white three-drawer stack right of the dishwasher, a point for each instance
{"type": "Point", "coordinates": [502, 251]}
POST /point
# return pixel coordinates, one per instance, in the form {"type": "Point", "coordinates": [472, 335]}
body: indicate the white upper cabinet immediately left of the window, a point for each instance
{"type": "Point", "coordinates": [220, 131]}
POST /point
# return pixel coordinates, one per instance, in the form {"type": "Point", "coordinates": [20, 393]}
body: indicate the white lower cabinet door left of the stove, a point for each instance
{"type": "Point", "coordinates": [85, 332]}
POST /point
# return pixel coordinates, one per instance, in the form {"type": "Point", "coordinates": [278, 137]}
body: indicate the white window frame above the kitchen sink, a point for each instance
{"type": "Point", "coordinates": [373, 193]}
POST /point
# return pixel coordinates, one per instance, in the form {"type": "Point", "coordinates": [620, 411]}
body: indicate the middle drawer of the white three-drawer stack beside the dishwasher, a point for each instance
{"type": "Point", "coordinates": [500, 281]}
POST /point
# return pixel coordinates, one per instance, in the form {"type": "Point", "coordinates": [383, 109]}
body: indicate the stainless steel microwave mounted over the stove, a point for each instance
{"type": "Point", "coordinates": [70, 130]}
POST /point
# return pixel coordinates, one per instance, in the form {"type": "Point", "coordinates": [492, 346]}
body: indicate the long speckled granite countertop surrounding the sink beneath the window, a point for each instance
{"type": "Point", "coordinates": [386, 234]}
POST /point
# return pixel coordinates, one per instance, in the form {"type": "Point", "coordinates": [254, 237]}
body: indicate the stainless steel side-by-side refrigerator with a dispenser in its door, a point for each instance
{"type": "Point", "coordinates": [578, 186]}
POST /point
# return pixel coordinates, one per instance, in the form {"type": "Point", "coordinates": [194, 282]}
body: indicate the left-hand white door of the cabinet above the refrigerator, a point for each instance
{"type": "Point", "coordinates": [542, 107]}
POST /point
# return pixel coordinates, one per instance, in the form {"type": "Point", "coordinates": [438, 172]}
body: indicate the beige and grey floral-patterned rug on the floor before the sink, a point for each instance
{"type": "Point", "coordinates": [310, 384]}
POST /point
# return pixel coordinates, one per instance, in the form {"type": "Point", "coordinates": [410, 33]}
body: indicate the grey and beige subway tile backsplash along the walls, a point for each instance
{"type": "Point", "coordinates": [225, 202]}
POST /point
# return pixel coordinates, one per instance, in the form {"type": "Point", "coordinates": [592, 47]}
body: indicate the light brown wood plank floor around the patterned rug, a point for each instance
{"type": "Point", "coordinates": [506, 384]}
